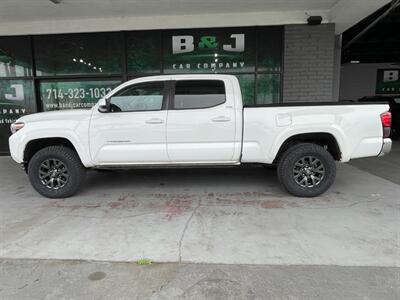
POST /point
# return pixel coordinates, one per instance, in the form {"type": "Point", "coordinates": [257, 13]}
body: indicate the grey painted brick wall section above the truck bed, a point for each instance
{"type": "Point", "coordinates": [309, 63]}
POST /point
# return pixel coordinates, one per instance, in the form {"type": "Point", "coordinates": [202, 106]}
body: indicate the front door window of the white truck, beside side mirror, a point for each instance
{"type": "Point", "coordinates": [139, 97]}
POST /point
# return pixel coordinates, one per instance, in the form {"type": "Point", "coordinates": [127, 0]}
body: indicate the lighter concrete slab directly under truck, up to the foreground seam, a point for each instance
{"type": "Point", "coordinates": [229, 216]}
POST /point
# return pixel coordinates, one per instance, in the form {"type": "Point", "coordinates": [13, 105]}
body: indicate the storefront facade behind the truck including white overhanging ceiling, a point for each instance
{"type": "Point", "coordinates": [68, 54]}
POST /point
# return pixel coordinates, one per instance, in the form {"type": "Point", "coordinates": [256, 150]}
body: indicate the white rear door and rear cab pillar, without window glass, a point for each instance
{"type": "Point", "coordinates": [208, 135]}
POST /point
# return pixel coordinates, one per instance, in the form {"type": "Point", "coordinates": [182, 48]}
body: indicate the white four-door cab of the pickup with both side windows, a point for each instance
{"type": "Point", "coordinates": [169, 120]}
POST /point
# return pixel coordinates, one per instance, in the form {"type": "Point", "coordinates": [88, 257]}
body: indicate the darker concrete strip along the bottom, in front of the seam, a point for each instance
{"type": "Point", "coordinates": [32, 279]}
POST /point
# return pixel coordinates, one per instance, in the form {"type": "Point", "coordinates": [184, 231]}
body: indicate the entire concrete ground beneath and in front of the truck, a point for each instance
{"type": "Point", "coordinates": [227, 234]}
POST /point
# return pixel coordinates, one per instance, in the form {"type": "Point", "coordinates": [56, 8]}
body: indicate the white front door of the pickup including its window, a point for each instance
{"type": "Point", "coordinates": [133, 131]}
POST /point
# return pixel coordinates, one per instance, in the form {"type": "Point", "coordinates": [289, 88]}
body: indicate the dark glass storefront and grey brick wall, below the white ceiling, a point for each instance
{"type": "Point", "coordinates": [274, 64]}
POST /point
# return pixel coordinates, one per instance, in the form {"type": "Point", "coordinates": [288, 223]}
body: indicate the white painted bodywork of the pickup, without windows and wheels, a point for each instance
{"type": "Point", "coordinates": [224, 134]}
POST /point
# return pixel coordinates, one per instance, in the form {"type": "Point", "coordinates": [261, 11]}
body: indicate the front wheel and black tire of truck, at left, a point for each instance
{"type": "Point", "coordinates": [65, 161]}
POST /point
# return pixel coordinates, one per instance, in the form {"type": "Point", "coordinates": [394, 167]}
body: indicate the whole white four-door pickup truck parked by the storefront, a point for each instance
{"type": "Point", "coordinates": [192, 120]}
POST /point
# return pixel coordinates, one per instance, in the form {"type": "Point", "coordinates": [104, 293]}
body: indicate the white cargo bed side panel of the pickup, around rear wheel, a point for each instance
{"type": "Point", "coordinates": [356, 128]}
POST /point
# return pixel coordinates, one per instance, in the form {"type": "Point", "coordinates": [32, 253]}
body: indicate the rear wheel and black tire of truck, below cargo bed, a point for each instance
{"type": "Point", "coordinates": [312, 179]}
